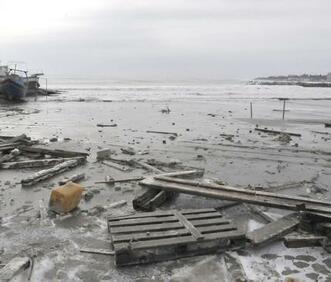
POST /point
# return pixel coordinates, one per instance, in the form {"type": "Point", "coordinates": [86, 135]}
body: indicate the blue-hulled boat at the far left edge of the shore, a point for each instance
{"type": "Point", "coordinates": [13, 86]}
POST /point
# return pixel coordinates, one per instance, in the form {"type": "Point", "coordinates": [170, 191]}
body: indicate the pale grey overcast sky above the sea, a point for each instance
{"type": "Point", "coordinates": [169, 39]}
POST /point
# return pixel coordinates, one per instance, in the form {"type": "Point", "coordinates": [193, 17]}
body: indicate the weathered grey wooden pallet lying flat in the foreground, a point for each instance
{"type": "Point", "coordinates": [164, 235]}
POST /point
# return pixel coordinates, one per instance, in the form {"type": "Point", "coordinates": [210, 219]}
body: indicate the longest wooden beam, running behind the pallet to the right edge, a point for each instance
{"type": "Point", "coordinates": [237, 194]}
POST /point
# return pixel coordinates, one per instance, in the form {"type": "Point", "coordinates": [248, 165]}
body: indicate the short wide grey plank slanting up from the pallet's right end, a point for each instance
{"type": "Point", "coordinates": [274, 230]}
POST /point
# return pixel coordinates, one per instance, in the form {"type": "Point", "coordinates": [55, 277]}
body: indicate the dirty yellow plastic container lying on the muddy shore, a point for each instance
{"type": "Point", "coordinates": [66, 197]}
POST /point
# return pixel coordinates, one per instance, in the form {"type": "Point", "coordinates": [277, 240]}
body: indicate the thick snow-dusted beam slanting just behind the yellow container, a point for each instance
{"type": "Point", "coordinates": [47, 173]}
